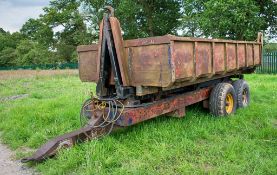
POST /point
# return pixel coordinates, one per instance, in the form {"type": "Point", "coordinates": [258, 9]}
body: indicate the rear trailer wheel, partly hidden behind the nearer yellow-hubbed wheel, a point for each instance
{"type": "Point", "coordinates": [243, 93]}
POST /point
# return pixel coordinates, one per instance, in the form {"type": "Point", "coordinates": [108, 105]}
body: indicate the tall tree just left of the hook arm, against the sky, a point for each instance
{"type": "Point", "coordinates": [65, 14]}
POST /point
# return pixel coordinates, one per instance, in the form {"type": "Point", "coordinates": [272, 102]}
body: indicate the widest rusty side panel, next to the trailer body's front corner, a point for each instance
{"type": "Point", "coordinates": [183, 60]}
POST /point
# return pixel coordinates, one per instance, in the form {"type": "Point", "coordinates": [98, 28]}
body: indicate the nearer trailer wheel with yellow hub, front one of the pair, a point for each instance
{"type": "Point", "coordinates": [223, 100]}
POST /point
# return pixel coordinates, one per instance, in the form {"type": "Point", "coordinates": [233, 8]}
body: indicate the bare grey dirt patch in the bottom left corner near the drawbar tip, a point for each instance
{"type": "Point", "coordinates": [8, 166]}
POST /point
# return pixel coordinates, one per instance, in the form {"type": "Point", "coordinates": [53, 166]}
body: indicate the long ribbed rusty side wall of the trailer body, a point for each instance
{"type": "Point", "coordinates": [197, 59]}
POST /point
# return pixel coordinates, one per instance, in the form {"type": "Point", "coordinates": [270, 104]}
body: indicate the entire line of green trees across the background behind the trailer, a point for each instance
{"type": "Point", "coordinates": [65, 24]}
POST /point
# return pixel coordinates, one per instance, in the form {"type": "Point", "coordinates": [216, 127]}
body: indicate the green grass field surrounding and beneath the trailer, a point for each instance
{"type": "Point", "coordinates": [245, 143]}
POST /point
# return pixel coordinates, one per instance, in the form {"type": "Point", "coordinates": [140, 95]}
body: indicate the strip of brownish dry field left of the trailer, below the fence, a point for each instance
{"type": "Point", "coordinates": [11, 74]}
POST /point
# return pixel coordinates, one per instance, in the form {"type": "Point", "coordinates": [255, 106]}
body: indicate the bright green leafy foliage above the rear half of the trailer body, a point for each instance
{"type": "Point", "coordinates": [232, 19]}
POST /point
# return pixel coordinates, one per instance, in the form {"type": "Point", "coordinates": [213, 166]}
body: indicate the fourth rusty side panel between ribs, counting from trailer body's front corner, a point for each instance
{"type": "Point", "coordinates": [231, 57]}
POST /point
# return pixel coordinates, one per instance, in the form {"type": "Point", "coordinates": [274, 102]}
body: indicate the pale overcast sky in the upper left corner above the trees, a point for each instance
{"type": "Point", "coordinates": [14, 13]}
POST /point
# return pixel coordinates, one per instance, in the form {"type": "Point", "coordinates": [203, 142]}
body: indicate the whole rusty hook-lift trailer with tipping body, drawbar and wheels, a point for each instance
{"type": "Point", "coordinates": [145, 78]}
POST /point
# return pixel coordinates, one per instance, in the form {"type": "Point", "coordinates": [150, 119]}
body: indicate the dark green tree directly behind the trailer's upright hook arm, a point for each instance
{"type": "Point", "coordinates": [140, 18]}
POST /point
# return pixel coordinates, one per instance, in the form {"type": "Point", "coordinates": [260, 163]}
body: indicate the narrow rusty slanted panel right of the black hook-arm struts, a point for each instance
{"type": "Point", "coordinates": [119, 46]}
